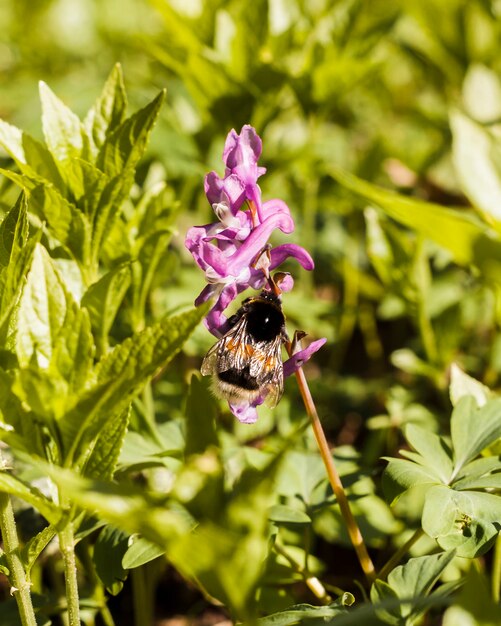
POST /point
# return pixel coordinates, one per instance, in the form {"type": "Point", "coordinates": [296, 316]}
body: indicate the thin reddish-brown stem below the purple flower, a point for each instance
{"type": "Point", "coordinates": [335, 481]}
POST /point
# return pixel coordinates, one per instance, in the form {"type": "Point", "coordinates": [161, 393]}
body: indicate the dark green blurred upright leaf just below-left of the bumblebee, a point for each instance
{"type": "Point", "coordinates": [201, 413]}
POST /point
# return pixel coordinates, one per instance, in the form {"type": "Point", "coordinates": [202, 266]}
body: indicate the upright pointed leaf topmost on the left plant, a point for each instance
{"type": "Point", "coordinates": [108, 112]}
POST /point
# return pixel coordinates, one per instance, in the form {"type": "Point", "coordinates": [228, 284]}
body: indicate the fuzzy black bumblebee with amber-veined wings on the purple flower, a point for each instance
{"type": "Point", "coordinates": [246, 363]}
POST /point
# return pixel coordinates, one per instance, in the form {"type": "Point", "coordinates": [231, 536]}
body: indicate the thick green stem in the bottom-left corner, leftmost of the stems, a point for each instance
{"type": "Point", "coordinates": [17, 576]}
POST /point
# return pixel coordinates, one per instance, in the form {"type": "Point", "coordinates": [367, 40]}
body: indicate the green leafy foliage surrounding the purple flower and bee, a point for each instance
{"type": "Point", "coordinates": [381, 127]}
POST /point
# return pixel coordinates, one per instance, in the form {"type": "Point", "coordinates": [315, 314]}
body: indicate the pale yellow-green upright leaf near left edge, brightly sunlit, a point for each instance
{"type": "Point", "coordinates": [41, 312]}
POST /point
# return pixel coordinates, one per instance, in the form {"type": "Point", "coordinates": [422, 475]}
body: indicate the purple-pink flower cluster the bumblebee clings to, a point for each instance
{"type": "Point", "coordinates": [228, 251]}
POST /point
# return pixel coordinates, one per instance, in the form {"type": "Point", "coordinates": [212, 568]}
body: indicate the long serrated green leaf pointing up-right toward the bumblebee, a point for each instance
{"type": "Point", "coordinates": [123, 373]}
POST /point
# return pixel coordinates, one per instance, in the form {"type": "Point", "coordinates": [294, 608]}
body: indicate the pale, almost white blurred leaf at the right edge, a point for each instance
{"type": "Point", "coordinates": [478, 174]}
